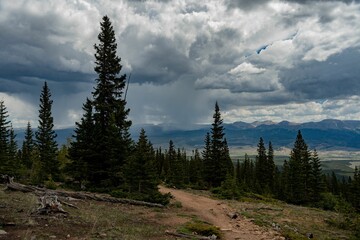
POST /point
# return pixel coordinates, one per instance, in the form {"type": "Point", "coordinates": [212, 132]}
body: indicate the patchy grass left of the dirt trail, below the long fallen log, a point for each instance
{"type": "Point", "coordinates": [92, 220]}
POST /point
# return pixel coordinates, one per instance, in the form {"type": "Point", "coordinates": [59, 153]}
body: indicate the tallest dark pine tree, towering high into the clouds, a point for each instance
{"type": "Point", "coordinates": [112, 138]}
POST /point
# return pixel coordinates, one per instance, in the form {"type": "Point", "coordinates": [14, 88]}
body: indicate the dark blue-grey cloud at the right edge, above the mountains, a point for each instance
{"type": "Point", "coordinates": [334, 78]}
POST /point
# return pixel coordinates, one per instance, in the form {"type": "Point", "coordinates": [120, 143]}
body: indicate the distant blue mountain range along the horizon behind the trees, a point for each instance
{"type": "Point", "coordinates": [329, 134]}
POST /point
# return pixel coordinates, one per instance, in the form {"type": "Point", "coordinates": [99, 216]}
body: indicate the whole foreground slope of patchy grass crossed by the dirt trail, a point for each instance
{"type": "Point", "coordinates": [89, 219]}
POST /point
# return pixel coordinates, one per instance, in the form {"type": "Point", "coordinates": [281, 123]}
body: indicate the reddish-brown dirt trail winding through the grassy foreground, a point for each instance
{"type": "Point", "coordinates": [216, 212]}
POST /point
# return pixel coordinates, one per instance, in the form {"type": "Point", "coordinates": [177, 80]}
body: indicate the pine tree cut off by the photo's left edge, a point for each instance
{"type": "Point", "coordinates": [4, 139]}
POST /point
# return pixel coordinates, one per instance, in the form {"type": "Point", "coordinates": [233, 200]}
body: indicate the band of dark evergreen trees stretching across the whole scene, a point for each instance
{"type": "Point", "coordinates": [102, 157]}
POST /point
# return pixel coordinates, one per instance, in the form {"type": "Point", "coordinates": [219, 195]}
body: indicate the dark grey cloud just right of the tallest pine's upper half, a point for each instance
{"type": "Point", "coordinates": [154, 59]}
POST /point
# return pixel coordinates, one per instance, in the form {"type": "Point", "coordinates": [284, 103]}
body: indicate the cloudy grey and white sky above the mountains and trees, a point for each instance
{"type": "Point", "coordinates": [260, 60]}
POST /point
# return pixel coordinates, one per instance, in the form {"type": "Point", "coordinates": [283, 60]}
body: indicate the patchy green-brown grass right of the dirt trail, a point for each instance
{"type": "Point", "coordinates": [294, 222]}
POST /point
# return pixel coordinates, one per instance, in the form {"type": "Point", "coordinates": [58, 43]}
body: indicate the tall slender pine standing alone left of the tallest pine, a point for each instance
{"type": "Point", "coordinates": [45, 138]}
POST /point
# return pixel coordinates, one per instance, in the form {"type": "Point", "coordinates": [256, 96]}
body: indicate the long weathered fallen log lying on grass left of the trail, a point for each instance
{"type": "Point", "coordinates": [78, 195]}
